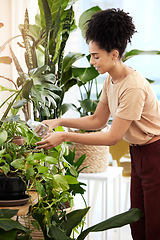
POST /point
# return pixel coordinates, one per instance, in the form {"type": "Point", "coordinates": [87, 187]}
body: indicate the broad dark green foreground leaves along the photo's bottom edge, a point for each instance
{"type": "Point", "coordinates": [61, 227]}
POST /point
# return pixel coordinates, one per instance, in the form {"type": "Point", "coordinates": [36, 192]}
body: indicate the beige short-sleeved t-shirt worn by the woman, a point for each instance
{"type": "Point", "coordinates": [133, 99]}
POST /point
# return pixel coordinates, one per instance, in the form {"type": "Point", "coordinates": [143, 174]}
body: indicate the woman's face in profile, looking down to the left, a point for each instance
{"type": "Point", "coordinates": [100, 58]}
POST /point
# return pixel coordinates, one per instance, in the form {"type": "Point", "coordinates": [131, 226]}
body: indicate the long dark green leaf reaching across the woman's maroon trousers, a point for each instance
{"type": "Point", "coordinates": [117, 221]}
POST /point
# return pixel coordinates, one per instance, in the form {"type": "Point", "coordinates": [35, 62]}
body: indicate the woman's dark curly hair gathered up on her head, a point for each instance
{"type": "Point", "coordinates": [111, 29]}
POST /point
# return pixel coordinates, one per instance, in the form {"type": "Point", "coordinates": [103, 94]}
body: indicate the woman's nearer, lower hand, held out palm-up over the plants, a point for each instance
{"type": "Point", "coordinates": [51, 140]}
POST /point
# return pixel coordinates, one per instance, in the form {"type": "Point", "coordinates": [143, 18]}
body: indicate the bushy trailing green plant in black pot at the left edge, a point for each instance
{"type": "Point", "coordinates": [13, 164]}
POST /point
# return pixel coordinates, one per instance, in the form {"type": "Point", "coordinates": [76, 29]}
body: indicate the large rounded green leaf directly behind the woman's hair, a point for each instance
{"type": "Point", "coordinates": [85, 17]}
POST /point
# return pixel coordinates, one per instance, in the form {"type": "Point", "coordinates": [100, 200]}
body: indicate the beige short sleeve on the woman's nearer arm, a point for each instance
{"type": "Point", "coordinates": [131, 103]}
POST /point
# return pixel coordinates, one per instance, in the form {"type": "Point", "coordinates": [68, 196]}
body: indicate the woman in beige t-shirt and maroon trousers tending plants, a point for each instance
{"type": "Point", "coordinates": [128, 97]}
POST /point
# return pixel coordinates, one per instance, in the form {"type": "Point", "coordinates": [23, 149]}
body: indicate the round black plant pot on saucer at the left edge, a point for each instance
{"type": "Point", "coordinates": [12, 188]}
